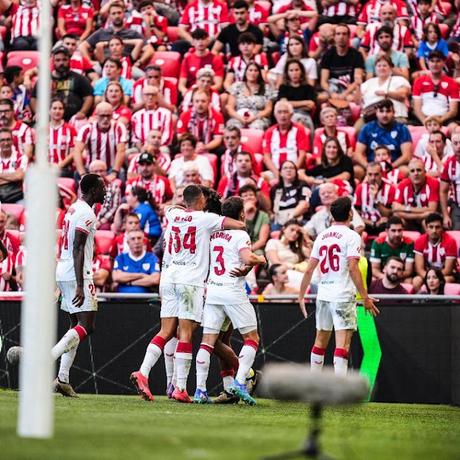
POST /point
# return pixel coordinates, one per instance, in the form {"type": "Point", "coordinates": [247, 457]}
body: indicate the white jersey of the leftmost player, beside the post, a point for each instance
{"type": "Point", "coordinates": [79, 216]}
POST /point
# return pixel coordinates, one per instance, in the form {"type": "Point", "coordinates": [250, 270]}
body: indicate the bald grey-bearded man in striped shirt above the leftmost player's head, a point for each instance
{"type": "Point", "coordinates": [103, 139]}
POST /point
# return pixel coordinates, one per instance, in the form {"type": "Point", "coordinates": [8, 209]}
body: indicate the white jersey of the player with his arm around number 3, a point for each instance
{"type": "Point", "coordinates": [187, 237]}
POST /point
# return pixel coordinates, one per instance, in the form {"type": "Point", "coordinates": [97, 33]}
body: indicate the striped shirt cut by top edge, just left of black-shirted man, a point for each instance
{"type": "Point", "coordinates": [208, 16]}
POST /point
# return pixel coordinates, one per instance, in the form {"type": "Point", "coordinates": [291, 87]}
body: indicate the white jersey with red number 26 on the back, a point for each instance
{"type": "Point", "coordinates": [333, 248]}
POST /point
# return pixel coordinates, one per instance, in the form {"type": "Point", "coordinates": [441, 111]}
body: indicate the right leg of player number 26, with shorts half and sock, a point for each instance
{"type": "Point", "coordinates": [345, 323]}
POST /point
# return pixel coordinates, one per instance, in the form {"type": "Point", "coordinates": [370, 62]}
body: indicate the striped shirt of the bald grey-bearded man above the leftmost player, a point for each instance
{"type": "Point", "coordinates": [102, 145]}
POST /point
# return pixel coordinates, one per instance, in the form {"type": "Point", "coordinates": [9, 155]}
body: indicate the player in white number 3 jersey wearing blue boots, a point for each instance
{"type": "Point", "coordinates": [226, 298]}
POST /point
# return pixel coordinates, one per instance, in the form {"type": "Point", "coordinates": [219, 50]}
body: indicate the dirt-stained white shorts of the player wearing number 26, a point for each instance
{"type": "Point", "coordinates": [340, 315]}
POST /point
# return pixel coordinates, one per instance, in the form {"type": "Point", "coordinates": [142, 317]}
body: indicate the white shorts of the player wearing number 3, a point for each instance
{"type": "Point", "coordinates": [242, 316]}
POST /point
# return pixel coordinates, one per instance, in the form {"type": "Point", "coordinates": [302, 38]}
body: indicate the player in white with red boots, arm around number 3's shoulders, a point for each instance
{"type": "Point", "coordinates": [184, 273]}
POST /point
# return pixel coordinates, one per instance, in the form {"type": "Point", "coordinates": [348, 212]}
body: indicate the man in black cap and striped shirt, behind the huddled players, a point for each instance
{"type": "Point", "coordinates": [158, 186]}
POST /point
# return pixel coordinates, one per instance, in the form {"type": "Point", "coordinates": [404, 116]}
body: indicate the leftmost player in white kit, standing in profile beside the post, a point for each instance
{"type": "Point", "coordinates": [74, 276]}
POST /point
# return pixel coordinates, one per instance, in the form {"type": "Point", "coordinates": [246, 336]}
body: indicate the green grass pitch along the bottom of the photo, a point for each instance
{"type": "Point", "coordinates": [124, 427]}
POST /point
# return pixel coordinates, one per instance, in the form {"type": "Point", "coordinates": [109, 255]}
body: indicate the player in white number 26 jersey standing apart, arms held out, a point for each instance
{"type": "Point", "coordinates": [337, 251]}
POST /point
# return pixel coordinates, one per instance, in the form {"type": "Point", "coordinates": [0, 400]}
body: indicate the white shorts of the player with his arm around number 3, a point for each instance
{"type": "Point", "coordinates": [181, 301]}
